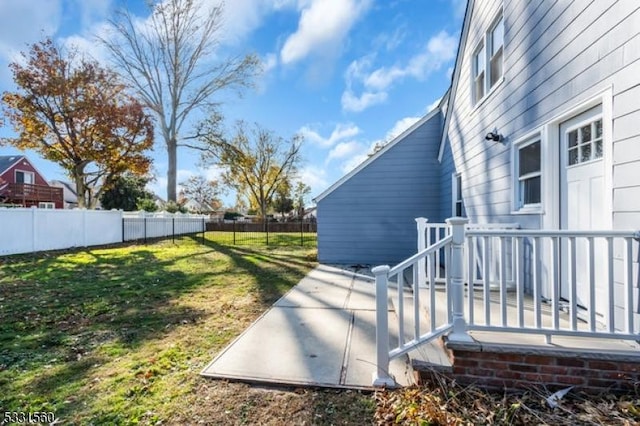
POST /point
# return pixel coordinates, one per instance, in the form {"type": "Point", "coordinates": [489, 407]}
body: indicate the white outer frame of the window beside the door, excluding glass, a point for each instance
{"type": "Point", "coordinates": [517, 206]}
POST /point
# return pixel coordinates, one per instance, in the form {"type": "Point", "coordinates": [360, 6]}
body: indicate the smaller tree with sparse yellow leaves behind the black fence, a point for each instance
{"type": "Point", "coordinates": [256, 161]}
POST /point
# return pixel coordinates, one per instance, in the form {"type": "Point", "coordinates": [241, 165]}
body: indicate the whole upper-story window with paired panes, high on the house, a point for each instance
{"type": "Point", "coordinates": [489, 52]}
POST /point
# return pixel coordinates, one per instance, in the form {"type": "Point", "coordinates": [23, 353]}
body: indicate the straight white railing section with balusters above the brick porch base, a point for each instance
{"type": "Point", "coordinates": [580, 283]}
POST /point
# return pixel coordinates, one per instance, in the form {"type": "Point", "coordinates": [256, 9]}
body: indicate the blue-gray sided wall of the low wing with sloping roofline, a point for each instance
{"type": "Point", "coordinates": [370, 218]}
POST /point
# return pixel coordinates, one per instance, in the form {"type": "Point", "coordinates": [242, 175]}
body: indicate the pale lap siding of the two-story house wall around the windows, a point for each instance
{"type": "Point", "coordinates": [557, 54]}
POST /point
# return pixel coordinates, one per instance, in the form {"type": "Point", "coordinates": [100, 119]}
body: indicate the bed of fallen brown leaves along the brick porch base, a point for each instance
{"type": "Point", "coordinates": [444, 402]}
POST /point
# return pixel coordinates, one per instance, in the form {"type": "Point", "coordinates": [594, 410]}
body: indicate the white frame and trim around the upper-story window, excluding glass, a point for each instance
{"type": "Point", "coordinates": [484, 48]}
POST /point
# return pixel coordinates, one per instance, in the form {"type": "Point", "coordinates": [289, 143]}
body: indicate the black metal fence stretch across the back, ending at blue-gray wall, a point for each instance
{"type": "Point", "coordinates": [302, 233]}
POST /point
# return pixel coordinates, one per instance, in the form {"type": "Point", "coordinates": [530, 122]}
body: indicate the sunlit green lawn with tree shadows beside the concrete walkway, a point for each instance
{"type": "Point", "coordinates": [119, 335]}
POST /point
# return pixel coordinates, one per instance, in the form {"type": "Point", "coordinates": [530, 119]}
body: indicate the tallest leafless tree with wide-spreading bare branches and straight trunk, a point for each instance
{"type": "Point", "coordinates": [172, 64]}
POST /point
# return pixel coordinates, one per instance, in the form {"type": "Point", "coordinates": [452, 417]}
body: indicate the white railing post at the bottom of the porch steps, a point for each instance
{"type": "Point", "coordinates": [381, 377]}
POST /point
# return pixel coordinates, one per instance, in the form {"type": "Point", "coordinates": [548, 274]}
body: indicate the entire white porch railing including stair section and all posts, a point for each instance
{"type": "Point", "coordinates": [572, 283]}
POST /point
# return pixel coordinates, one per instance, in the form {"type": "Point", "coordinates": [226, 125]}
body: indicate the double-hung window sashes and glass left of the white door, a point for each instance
{"type": "Point", "coordinates": [528, 167]}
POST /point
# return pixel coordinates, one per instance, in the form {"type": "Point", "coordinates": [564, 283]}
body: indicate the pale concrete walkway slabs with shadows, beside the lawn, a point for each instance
{"type": "Point", "coordinates": [321, 333]}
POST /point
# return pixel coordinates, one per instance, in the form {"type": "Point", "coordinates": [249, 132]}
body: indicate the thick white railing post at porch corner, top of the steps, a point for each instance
{"type": "Point", "coordinates": [459, 332]}
